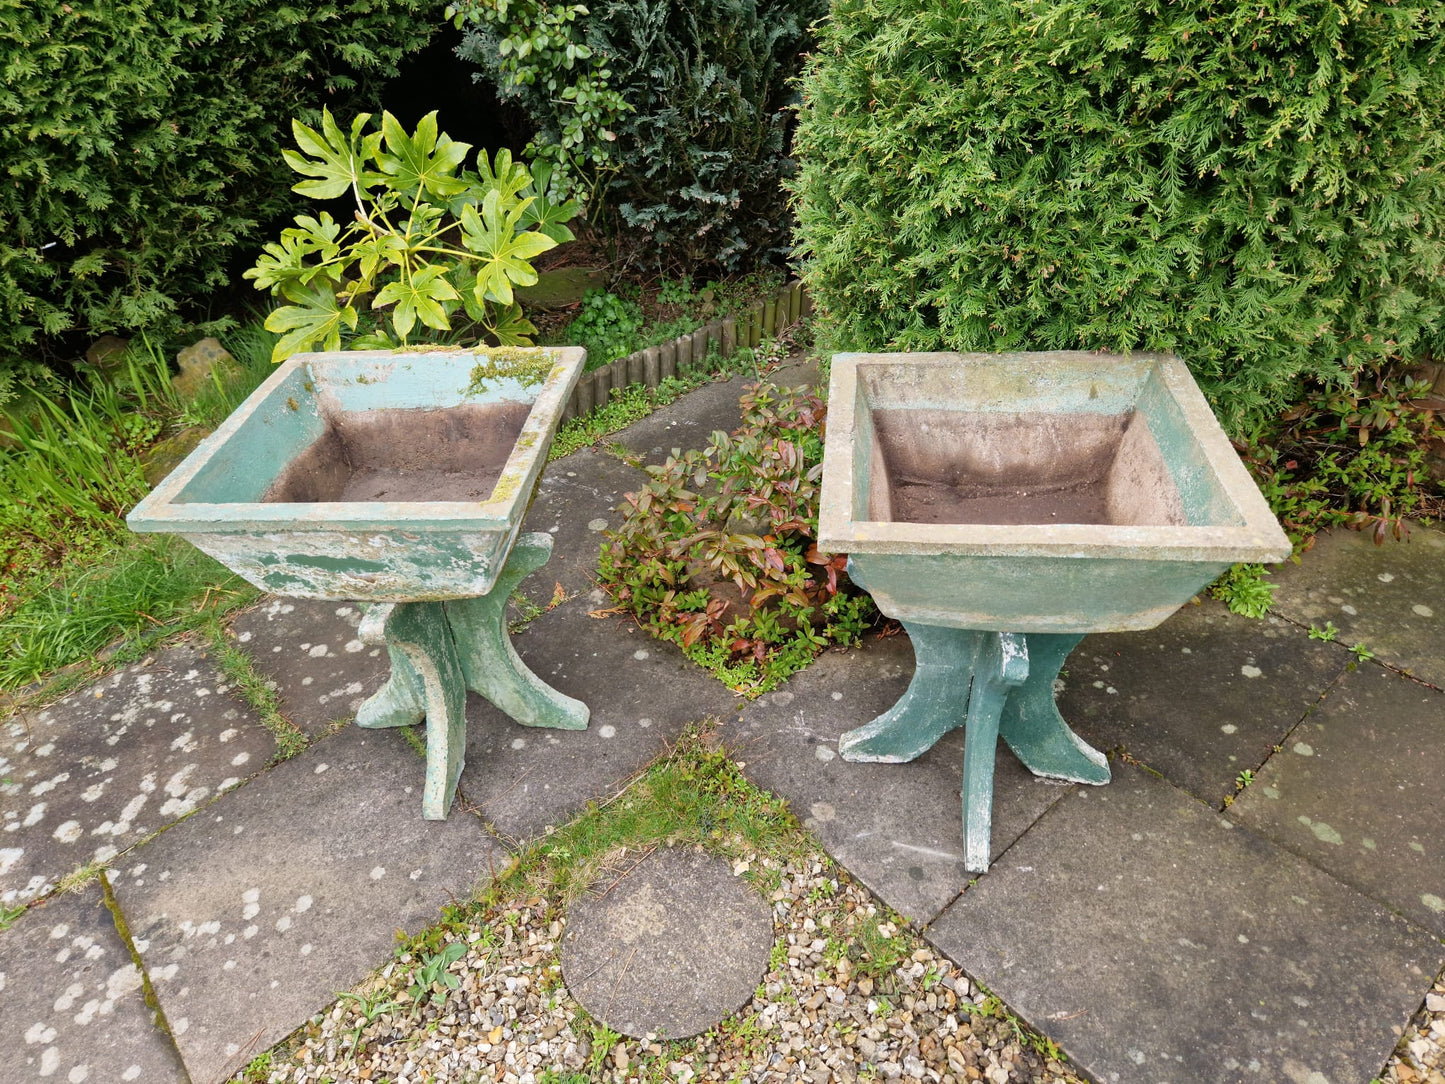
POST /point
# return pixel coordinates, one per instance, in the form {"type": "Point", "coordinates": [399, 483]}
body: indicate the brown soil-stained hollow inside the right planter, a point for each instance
{"type": "Point", "coordinates": [1009, 469]}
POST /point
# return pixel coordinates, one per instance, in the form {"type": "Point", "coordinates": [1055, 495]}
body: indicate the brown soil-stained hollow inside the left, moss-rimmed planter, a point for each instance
{"type": "Point", "coordinates": [405, 456]}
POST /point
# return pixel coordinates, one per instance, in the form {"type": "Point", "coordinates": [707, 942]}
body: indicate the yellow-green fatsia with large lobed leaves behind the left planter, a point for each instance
{"type": "Point", "coordinates": [428, 241]}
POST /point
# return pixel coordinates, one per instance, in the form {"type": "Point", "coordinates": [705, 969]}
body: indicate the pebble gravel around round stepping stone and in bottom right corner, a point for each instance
{"type": "Point", "coordinates": [826, 1012]}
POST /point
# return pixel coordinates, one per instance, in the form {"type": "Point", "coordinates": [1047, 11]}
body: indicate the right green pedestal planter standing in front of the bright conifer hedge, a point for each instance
{"type": "Point", "coordinates": [1005, 505]}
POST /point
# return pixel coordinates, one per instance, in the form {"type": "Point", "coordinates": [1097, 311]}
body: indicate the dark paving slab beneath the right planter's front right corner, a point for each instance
{"type": "Point", "coordinates": [1200, 699]}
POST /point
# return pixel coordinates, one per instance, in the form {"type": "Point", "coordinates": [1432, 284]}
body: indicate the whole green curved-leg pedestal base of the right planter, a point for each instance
{"type": "Point", "coordinates": [995, 686]}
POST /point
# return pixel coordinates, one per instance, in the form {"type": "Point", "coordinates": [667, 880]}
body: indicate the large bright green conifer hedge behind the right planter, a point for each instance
{"type": "Point", "coordinates": [1256, 187]}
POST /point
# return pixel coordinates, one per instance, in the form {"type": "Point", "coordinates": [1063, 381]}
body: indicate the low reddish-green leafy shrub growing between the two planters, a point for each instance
{"type": "Point", "coordinates": [719, 554]}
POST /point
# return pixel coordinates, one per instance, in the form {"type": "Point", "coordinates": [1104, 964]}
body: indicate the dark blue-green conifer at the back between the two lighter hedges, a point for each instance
{"type": "Point", "coordinates": [697, 165]}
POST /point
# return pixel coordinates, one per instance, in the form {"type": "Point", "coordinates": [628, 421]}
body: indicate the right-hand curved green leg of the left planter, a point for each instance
{"type": "Point", "coordinates": [491, 663]}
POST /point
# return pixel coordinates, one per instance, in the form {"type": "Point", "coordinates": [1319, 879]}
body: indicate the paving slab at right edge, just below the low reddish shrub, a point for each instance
{"type": "Point", "coordinates": [1389, 598]}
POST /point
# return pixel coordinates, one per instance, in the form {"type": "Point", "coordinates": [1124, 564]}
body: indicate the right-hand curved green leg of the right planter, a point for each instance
{"type": "Point", "coordinates": [1034, 728]}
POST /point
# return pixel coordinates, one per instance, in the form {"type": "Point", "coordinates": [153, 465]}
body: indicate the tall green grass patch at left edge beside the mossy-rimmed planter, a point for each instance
{"type": "Point", "coordinates": [72, 579]}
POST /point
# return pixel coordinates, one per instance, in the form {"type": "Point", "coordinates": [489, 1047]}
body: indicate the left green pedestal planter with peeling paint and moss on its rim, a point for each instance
{"type": "Point", "coordinates": [397, 479]}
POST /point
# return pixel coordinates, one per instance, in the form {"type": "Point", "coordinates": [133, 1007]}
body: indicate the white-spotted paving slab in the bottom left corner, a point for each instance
{"type": "Point", "coordinates": [74, 1008]}
